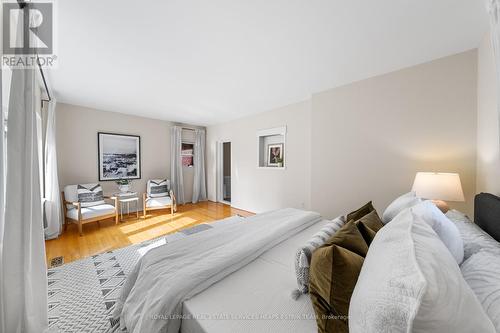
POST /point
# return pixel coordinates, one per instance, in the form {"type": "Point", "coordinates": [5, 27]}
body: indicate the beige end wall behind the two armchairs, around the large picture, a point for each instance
{"type": "Point", "coordinates": [77, 129]}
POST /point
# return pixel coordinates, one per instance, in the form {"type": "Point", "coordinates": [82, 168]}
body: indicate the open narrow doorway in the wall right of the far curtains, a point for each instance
{"type": "Point", "coordinates": [224, 172]}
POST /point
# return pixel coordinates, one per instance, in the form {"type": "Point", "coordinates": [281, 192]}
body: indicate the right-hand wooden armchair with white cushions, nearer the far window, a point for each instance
{"type": "Point", "coordinates": [159, 196]}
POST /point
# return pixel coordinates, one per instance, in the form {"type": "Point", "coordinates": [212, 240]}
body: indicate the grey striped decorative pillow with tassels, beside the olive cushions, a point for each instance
{"type": "Point", "coordinates": [304, 253]}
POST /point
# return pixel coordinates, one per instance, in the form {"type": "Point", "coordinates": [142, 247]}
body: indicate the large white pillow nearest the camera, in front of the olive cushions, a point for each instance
{"type": "Point", "coordinates": [409, 282]}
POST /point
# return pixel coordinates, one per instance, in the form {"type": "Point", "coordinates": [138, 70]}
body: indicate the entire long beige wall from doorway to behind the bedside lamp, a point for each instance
{"type": "Point", "coordinates": [363, 141]}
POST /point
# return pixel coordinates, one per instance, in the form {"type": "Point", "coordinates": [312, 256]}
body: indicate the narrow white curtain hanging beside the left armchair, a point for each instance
{"type": "Point", "coordinates": [52, 196]}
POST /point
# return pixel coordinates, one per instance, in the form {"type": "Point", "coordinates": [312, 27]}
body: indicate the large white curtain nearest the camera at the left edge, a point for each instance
{"type": "Point", "coordinates": [23, 289]}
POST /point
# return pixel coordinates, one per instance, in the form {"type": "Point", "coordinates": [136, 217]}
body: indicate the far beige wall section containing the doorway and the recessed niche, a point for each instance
{"type": "Point", "coordinates": [255, 189]}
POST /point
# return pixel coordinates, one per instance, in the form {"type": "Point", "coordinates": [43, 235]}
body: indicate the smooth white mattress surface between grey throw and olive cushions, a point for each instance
{"type": "Point", "coordinates": [257, 298]}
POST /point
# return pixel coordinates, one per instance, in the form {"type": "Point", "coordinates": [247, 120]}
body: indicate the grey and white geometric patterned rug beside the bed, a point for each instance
{"type": "Point", "coordinates": [82, 294]}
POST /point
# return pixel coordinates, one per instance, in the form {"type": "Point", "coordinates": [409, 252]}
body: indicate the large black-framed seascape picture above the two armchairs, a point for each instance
{"type": "Point", "coordinates": [119, 156]}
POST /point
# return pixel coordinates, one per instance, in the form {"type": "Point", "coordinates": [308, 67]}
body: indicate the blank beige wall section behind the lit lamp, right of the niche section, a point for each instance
{"type": "Point", "coordinates": [371, 137]}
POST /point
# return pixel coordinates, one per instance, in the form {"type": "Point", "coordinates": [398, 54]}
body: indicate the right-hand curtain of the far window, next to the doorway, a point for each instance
{"type": "Point", "coordinates": [199, 184]}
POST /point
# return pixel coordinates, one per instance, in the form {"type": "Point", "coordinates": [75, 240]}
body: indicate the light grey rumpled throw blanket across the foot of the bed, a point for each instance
{"type": "Point", "coordinates": [166, 276]}
